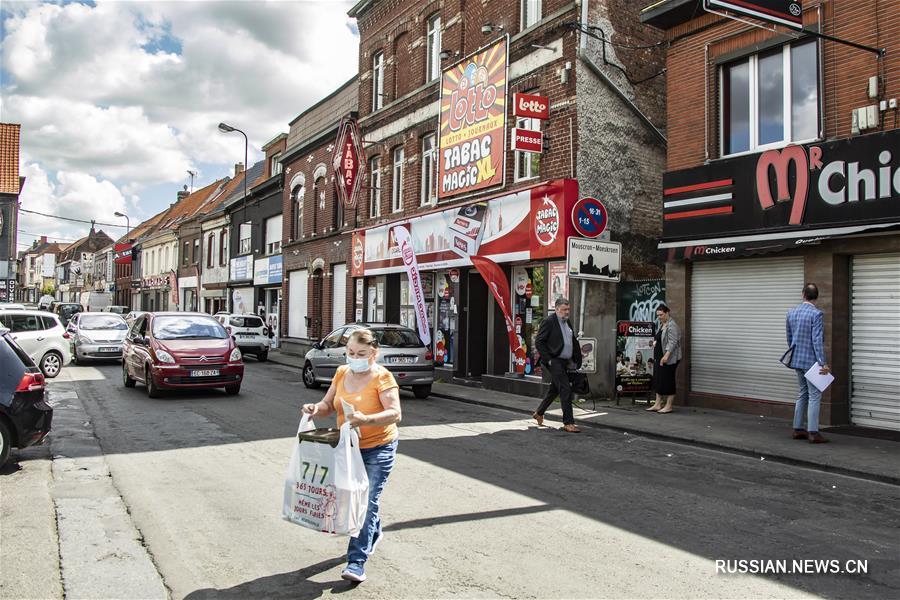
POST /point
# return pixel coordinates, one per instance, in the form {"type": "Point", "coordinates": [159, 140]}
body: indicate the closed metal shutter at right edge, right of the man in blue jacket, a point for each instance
{"type": "Point", "coordinates": [875, 342]}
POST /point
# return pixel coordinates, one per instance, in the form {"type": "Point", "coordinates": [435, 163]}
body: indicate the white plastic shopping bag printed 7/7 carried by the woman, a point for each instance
{"type": "Point", "coordinates": [326, 488]}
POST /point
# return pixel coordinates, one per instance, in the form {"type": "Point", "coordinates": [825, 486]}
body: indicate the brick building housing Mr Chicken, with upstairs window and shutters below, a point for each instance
{"type": "Point", "coordinates": [783, 168]}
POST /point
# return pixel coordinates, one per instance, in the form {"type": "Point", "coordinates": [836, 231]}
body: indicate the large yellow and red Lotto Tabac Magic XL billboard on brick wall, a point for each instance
{"type": "Point", "coordinates": [473, 122]}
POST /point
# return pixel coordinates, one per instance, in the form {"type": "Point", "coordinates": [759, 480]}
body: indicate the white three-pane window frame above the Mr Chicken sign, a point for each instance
{"type": "Point", "coordinates": [753, 83]}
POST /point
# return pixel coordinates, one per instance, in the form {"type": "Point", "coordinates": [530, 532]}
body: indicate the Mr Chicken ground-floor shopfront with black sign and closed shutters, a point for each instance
{"type": "Point", "coordinates": [743, 235]}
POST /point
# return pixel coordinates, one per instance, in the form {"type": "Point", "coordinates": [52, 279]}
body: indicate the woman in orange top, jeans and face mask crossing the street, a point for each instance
{"type": "Point", "coordinates": [373, 392]}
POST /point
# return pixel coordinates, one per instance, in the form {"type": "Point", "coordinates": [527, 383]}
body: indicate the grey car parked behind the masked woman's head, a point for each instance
{"type": "Point", "coordinates": [399, 350]}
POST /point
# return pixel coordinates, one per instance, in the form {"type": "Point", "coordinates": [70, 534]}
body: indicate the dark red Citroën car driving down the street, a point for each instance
{"type": "Point", "coordinates": [176, 350]}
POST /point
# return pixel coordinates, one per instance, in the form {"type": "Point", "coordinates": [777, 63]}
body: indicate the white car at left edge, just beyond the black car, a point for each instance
{"type": "Point", "coordinates": [42, 336]}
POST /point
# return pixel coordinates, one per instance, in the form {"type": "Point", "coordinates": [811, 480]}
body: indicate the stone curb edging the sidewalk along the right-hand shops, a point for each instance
{"type": "Point", "coordinates": [745, 452]}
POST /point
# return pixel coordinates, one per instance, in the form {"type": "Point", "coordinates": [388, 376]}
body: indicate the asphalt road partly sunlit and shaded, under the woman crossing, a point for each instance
{"type": "Point", "coordinates": [481, 504]}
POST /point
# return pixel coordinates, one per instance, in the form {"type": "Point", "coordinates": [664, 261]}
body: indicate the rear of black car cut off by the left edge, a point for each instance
{"type": "Point", "coordinates": [24, 416]}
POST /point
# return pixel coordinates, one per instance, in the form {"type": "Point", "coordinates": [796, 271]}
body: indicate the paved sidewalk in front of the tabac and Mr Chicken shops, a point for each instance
{"type": "Point", "coordinates": [750, 435]}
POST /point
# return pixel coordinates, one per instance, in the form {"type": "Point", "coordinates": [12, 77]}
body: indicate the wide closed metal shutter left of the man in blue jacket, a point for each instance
{"type": "Point", "coordinates": [738, 311]}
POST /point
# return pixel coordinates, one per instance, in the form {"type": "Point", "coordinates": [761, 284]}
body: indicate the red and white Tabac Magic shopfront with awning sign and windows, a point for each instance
{"type": "Point", "coordinates": [524, 232]}
